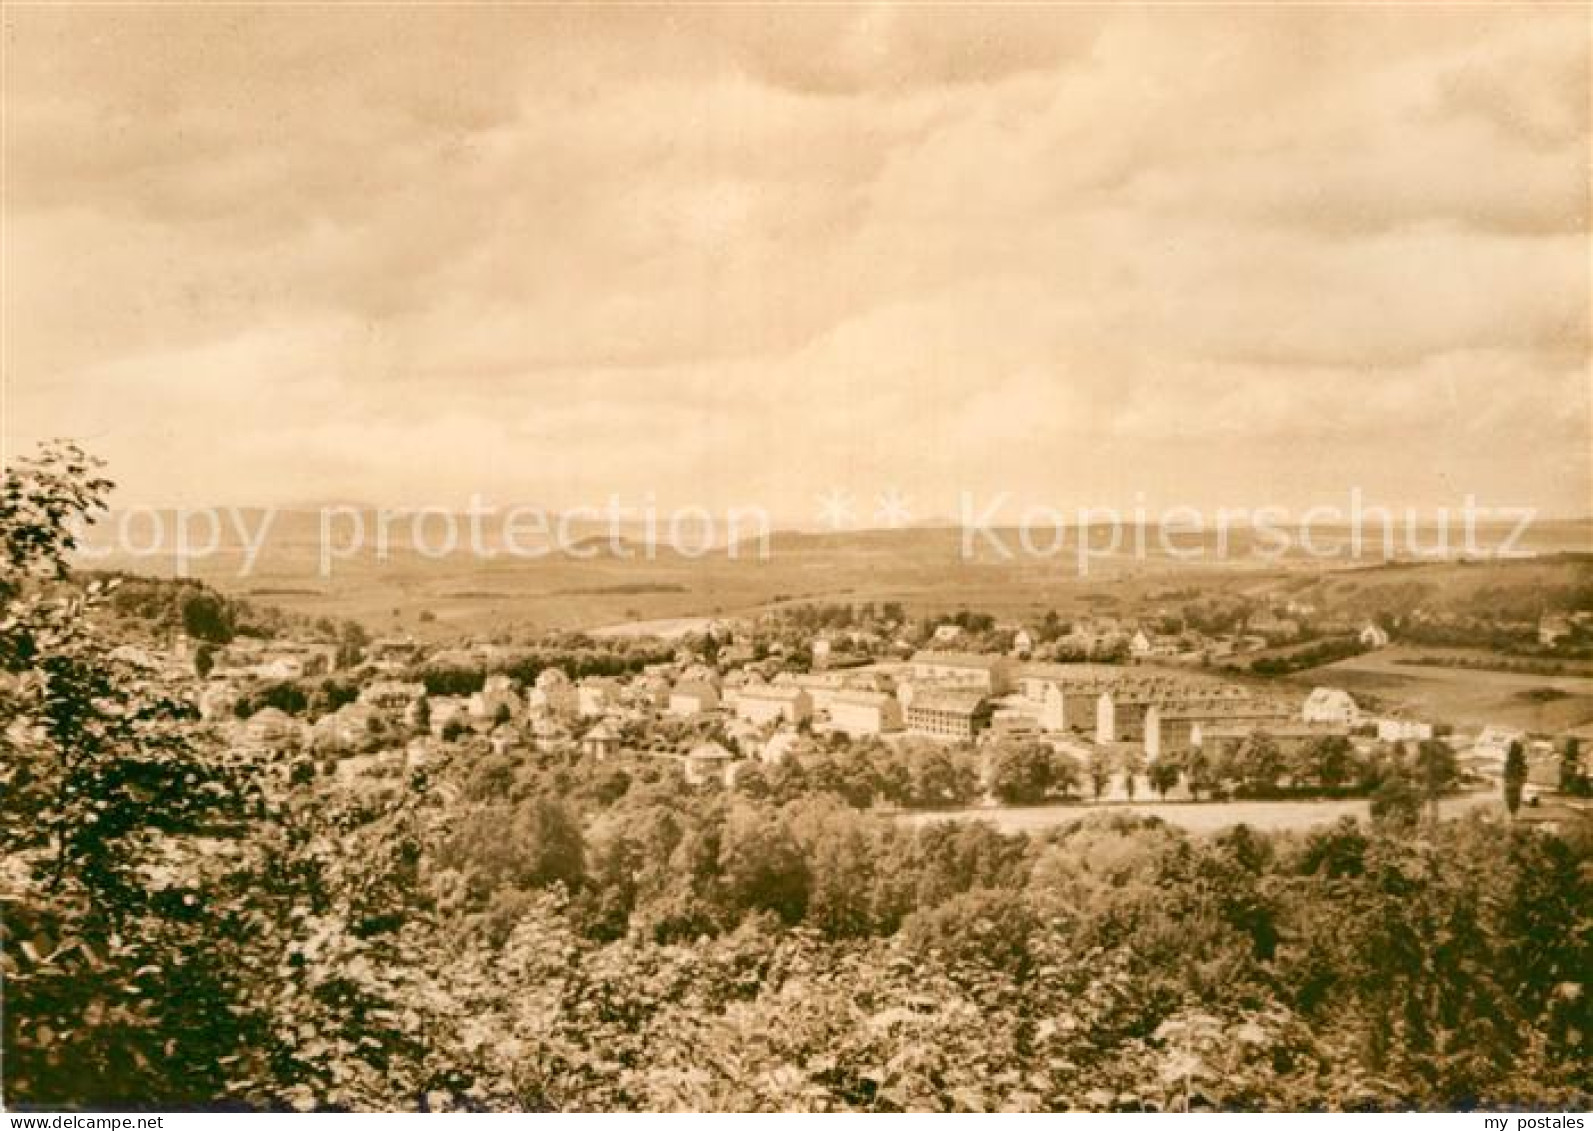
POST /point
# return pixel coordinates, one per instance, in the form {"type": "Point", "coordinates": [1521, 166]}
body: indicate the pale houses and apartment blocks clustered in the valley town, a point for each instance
{"type": "Point", "coordinates": [936, 694]}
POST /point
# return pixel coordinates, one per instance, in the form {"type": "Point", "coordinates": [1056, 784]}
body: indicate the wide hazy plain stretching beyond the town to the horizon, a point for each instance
{"type": "Point", "coordinates": [464, 593]}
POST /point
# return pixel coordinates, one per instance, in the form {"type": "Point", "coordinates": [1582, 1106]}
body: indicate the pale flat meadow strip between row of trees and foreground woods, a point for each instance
{"type": "Point", "coordinates": [1199, 818]}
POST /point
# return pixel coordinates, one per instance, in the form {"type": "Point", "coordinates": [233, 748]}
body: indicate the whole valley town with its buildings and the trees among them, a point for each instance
{"type": "Point", "coordinates": [1105, 710]}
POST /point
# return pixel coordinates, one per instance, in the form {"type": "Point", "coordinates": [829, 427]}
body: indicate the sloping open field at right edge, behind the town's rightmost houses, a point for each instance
{"type": "Point", "coordinates": [1460, 695]}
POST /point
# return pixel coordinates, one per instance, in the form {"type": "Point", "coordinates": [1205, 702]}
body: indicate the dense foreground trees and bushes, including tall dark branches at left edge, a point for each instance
{"type": "Point", "coordinates": [184, 929]}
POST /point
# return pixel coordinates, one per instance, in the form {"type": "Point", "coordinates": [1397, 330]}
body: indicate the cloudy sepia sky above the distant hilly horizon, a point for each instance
{"type": "Point", "coordinates": [746, 256]}
